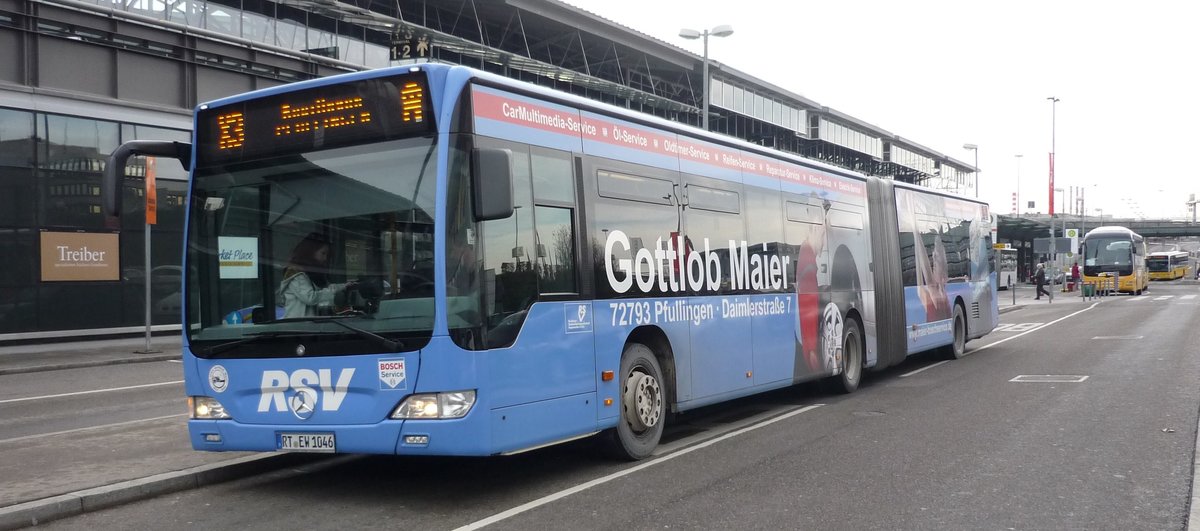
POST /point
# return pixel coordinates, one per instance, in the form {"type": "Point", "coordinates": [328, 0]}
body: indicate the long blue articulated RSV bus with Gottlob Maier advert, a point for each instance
{"type": "Point", "coordinates": [434, 260]}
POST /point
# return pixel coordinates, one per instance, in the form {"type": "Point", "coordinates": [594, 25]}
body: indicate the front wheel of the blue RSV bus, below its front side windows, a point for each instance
{"type": "Point", "coordinates": [640, 426]}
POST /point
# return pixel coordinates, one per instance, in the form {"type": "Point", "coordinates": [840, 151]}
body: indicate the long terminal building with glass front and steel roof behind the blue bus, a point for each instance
{"type": "Point", "coordinates": [81, 77]}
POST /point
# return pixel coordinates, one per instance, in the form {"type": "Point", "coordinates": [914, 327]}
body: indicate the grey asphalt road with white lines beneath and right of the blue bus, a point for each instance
{"type": "Point", "coordinates": [1108, 444]}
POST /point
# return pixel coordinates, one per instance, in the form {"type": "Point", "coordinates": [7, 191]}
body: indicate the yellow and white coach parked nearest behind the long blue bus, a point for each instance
{"type": "Point", "coordinates": [1115, 254]}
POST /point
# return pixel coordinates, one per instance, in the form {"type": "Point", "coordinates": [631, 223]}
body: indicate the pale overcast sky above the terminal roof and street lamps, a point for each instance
{"type": "Point", "coordinates": [949, 73]}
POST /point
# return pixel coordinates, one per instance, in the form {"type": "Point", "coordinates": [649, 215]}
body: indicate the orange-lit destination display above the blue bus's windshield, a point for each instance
{"type": "Point", "coordinates": [325, 117]}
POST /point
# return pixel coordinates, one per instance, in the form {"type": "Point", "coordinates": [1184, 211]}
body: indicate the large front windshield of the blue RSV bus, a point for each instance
{"type": "Point", "coordinates": [328, 249]}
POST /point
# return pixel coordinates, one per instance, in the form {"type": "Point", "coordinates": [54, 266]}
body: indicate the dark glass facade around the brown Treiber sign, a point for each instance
{"type": "Point", "coordinates": [51, 168]}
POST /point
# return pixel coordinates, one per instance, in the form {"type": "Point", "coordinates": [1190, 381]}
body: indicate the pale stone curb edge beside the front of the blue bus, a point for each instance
{"type": "Point", "coordinates": [100, 498]}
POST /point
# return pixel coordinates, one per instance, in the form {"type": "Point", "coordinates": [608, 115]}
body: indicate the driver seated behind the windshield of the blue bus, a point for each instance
{"type": "Point", "coordinates": [305, 289]}
